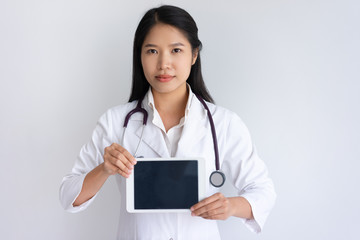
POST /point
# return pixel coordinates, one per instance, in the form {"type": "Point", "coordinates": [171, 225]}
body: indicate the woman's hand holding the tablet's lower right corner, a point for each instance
{"type": "Point", "coordinates": [216, 207]}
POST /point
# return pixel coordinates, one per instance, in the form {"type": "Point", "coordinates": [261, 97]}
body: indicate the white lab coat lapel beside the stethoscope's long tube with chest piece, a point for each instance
{"type": "Point", "coordinates": [193, 132]}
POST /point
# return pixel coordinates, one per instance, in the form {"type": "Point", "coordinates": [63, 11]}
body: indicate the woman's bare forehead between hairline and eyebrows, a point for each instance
{"type": "Point", "coordinates": [165, 34]}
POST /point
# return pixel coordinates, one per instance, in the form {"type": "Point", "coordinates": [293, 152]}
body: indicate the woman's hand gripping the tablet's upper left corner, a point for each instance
{"type": "Point", "coordinates": [118, 160]}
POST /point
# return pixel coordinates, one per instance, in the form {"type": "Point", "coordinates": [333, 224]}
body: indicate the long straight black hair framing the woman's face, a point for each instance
{"type": "Point", "coordinates": [182, 20]}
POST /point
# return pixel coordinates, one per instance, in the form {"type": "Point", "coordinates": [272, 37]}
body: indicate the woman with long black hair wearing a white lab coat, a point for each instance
{"type": "Point", "coordinates": [166, 78]}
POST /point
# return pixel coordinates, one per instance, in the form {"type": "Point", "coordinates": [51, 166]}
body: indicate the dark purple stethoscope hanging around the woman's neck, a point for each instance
{"type": "Point", "coordinates": [217, 177]}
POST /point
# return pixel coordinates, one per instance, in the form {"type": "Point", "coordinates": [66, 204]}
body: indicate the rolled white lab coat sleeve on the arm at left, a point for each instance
{"type": "Point", "coordinates": [91, 155]}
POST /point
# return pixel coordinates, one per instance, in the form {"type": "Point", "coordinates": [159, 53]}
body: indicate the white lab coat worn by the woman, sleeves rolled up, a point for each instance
{"type": "Point", "coordinates": [238, 160]}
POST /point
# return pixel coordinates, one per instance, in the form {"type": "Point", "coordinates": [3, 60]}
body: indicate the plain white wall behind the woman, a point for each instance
{"type": "Point", "coordinates": [290, 69]}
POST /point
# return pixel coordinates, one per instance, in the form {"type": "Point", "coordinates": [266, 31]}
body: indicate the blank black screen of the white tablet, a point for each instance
{"type": "Point", "coordinates": [166, 184]}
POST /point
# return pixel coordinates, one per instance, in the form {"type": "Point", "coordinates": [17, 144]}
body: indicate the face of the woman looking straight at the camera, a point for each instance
{"type": "Point", "coordinates": [167, 57]}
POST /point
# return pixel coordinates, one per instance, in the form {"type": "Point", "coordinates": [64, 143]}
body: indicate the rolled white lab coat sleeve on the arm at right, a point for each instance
{"type": "Point", "coordinates": [249, 173]}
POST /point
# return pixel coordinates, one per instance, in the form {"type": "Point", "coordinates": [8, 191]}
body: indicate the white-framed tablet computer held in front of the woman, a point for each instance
{"type": "Point", "coordinates": [165, 185]}
